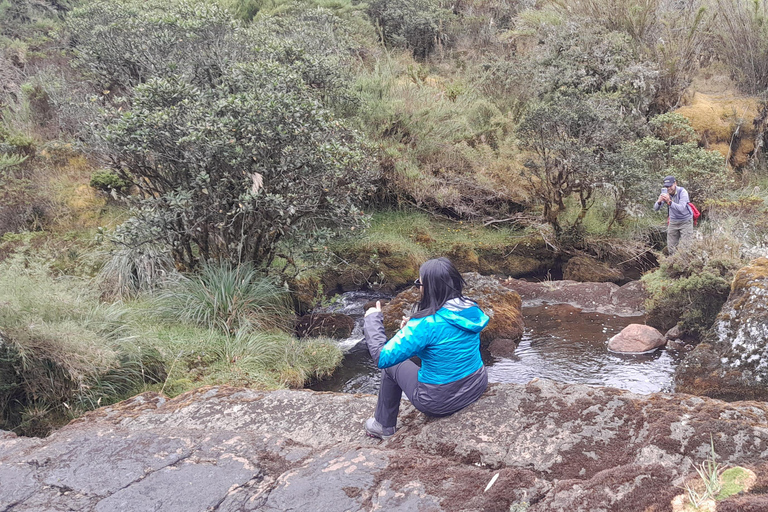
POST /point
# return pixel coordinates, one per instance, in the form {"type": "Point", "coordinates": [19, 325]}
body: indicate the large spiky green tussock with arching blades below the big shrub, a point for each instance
{"type": "Point", "coordinates": [228, 298]}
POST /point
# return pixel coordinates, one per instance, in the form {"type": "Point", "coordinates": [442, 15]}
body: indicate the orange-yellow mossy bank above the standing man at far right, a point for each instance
{"type": "Point", "coordinates": [724, 122]}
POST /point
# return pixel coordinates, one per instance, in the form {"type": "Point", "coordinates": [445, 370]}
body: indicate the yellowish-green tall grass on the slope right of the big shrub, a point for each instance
{"type": "Point", "coordinates": [444, 146]}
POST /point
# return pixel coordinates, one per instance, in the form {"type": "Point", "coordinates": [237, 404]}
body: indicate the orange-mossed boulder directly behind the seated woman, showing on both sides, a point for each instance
{"type": "Point", "coordinates": [503, 305]}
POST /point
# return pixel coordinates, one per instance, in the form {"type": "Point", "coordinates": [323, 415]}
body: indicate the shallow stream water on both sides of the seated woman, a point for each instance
{"type": "Point", "coordinates": [560, 343]}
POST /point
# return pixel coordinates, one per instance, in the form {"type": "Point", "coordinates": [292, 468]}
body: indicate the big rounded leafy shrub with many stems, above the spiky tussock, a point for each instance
{"type": "Point", "coordinates": [229, 172]}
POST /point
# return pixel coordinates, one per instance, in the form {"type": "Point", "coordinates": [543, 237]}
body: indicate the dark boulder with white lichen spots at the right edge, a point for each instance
{"type": "Point", "coordinates": [732, 364]}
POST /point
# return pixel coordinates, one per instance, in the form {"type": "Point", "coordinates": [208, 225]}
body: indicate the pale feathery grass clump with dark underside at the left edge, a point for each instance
{"type": "Point", "coordinates": [61, 353]}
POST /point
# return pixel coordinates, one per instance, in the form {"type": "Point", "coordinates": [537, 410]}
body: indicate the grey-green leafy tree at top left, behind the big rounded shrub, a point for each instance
{"type": "Point", "coordinates": [125, 44]}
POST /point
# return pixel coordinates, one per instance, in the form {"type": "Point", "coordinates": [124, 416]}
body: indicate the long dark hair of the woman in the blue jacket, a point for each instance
{"type": "Point", "coordinates": [440, 283]}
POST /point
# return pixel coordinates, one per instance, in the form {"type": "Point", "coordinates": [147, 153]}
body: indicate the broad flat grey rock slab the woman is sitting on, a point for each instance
{"type": "Point", "coordinates": [555, 447]}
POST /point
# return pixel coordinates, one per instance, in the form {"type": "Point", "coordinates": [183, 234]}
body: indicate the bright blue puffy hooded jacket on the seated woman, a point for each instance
{"type": "Point", "coordinates": [448, 343]}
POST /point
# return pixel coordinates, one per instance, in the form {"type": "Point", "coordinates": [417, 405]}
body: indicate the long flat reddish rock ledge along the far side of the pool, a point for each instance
{"type": "Point", "coordinates": [605, 298]}
